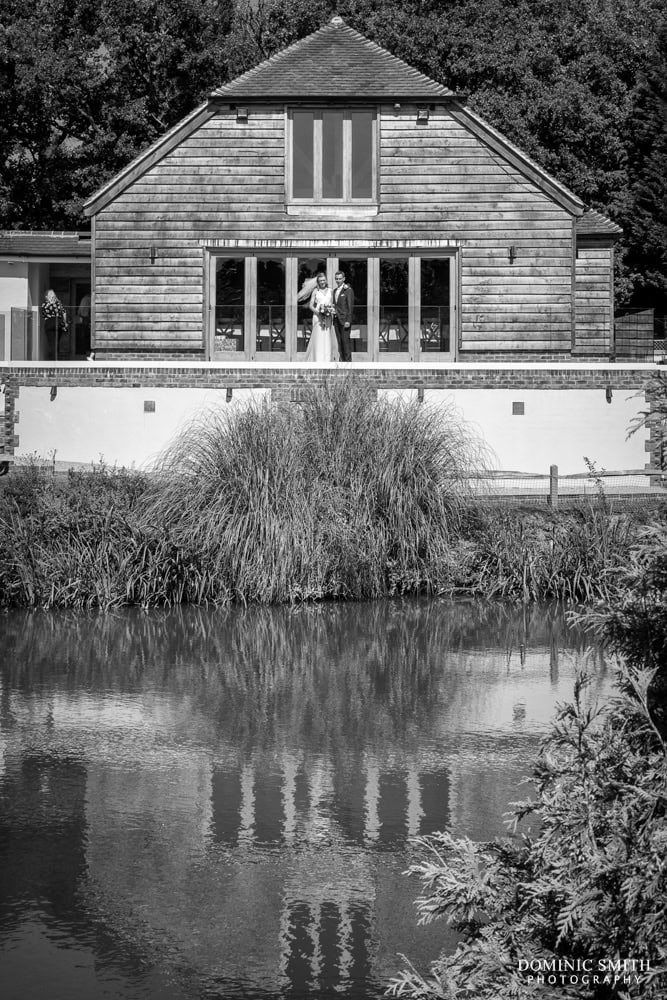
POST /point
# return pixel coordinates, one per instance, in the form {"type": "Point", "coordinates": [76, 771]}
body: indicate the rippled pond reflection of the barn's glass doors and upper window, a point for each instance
{"type": "Point", "coordinates": [328, 919]}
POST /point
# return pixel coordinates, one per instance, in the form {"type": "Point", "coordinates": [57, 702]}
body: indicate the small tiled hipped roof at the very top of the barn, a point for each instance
{"type": "Point", "coordinates": [335, 61]}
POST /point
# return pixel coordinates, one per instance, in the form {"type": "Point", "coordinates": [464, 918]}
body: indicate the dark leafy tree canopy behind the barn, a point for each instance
{"type": "Point", "coordinates": [578, 84]}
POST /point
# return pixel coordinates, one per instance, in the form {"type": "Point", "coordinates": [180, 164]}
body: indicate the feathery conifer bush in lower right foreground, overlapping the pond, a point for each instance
{"type": "Point", "coordinates": [590, 886]}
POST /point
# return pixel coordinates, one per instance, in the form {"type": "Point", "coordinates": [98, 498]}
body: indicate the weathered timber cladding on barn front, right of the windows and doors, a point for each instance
{"type": "Point", "coordinates": [443, 176]}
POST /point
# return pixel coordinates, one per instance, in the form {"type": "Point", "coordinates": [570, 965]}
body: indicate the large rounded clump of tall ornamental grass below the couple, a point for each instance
{"type": "Point", "coordinates": [339, 496]}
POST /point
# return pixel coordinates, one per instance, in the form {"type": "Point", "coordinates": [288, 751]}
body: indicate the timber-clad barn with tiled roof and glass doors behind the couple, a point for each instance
{"type": "Point", "coordinates": [335, 154]}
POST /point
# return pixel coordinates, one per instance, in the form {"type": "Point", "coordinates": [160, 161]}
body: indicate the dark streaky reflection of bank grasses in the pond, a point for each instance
{"type": "Point", "coordinates": [343, 673]}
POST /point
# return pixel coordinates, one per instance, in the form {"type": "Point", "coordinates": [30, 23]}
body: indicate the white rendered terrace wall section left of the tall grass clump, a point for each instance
{"type": "Point", "coordinates": [89, 425]}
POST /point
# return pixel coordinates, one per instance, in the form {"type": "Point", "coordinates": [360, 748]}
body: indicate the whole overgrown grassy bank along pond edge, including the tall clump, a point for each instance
{"type": "Point", "coordinates": [340, 497]}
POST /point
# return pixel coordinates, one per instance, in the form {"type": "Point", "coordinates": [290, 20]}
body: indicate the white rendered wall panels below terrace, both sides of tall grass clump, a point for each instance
{"type": "Point", "coordinates": [558, 427]}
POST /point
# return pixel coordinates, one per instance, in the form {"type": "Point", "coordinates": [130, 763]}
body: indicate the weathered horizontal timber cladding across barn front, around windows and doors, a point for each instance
{"type": "Point", "coordinates": [437, 180]}
